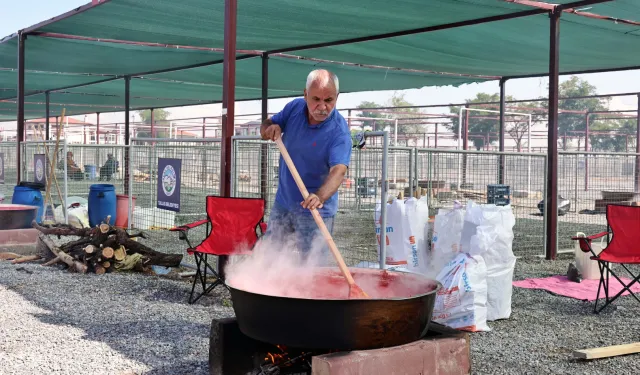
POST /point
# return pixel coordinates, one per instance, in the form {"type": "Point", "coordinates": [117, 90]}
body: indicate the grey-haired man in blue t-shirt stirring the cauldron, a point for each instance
{"type": "Point", "coordinates": [319, 142]}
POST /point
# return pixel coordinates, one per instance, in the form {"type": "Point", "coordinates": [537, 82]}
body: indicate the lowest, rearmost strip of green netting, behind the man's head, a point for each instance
{"type": "Point", "coordinates": [204, 85]}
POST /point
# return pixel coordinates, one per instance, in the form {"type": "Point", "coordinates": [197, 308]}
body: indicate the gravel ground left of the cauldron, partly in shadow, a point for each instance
{"type": "Point", "coordinates": [52, 321]}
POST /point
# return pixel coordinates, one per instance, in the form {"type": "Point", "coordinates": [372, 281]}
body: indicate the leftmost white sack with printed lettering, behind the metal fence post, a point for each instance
{"type": "Point", "coordinates": [394, 236]}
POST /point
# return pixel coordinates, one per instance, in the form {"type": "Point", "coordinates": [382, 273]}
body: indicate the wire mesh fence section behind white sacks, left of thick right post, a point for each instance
{"type": "Point", "coordinates": [447, 176]}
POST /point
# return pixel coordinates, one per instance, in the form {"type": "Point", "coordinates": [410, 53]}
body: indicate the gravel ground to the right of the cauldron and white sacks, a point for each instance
{"type": "Point", "coordinates": [544, 329]}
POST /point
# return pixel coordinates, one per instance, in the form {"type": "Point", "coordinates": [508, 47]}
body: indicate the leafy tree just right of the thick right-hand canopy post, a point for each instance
{"type": "Point", "coordinates": [569, 123]}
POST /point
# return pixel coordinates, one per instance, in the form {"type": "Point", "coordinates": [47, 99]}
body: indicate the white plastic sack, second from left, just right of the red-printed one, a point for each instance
{"type": "Point", "coordinates": [416, 227]}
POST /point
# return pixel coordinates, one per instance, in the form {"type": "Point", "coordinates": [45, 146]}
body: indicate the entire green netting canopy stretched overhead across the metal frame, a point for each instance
{"type": "Point", "coordinates": [502, 48]}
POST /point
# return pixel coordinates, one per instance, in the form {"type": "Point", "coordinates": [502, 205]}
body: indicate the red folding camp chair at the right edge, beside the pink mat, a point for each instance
{"type": "Point", "coordinates": [623, 248]}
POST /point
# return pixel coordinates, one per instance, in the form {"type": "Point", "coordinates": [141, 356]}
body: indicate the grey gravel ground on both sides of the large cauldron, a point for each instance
{"type": "Point", "coordinates": [52, 321]}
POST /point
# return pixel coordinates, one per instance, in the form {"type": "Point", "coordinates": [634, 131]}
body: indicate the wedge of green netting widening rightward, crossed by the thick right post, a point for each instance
{"type": "Point", "coordinates": [506, 48]}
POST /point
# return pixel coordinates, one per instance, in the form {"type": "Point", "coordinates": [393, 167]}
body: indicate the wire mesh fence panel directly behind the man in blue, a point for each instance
{"type": "Point", "coordinates": [360, 192]}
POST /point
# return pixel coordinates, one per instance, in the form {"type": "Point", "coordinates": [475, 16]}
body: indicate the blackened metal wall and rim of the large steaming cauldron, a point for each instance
{"type": "Point", "coordinates": [339, 324]}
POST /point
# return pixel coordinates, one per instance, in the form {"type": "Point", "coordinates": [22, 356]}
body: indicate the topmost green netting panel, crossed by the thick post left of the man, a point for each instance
{"type": "Point", "coordinates": [267, 25]}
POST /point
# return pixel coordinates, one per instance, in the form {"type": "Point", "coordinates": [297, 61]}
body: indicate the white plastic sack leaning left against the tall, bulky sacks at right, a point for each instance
{"type": "Point", "coordinates": [447, 230]}
